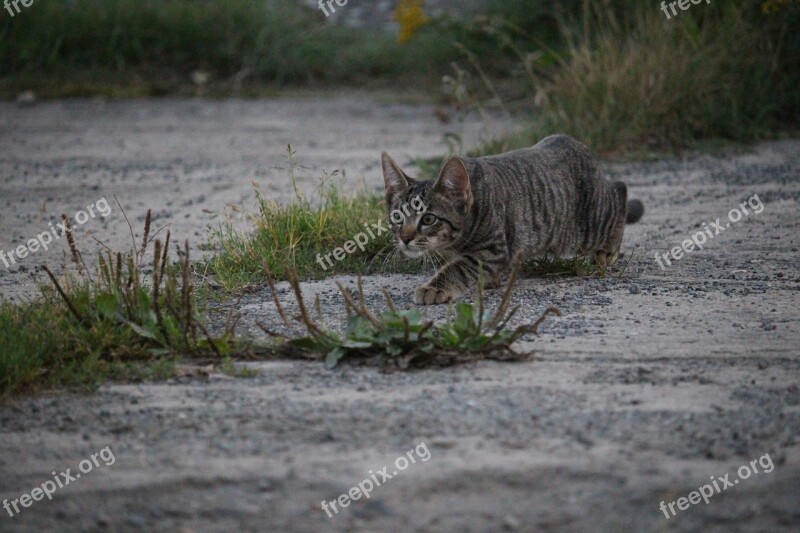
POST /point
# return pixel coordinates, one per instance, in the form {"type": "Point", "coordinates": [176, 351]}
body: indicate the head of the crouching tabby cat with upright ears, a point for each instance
{"type": "Point", "coordinates": [426, 215]}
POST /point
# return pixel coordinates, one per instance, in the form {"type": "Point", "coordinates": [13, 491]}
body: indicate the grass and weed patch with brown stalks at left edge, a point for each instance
{"type": "Point", "coordinates": [112, 321]}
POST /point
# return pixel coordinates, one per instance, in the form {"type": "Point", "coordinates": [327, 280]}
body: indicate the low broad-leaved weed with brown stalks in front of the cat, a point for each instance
{"type": "Point", "coordinates": [403, 338]}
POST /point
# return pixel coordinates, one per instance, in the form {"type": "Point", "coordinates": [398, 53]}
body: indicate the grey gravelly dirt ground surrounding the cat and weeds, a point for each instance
{"type": "Point", "coordinates": [653, 383]}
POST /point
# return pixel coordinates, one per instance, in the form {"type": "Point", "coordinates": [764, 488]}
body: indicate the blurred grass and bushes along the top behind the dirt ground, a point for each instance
{"type": "Point", "coordinates": [615, 73]}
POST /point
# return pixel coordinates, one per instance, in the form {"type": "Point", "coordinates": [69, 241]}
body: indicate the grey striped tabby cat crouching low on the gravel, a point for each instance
{"type": "Point", "coordinates": [548, 199]}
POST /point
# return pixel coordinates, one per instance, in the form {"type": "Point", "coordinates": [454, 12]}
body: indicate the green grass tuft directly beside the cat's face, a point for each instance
{"type": "Point", "coordinates": [291, 237]}
